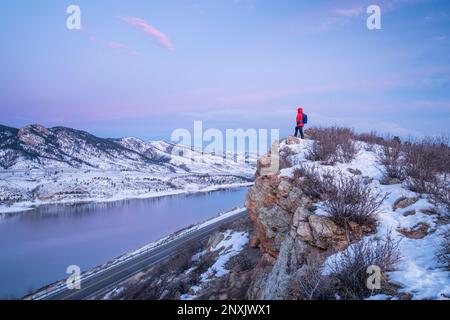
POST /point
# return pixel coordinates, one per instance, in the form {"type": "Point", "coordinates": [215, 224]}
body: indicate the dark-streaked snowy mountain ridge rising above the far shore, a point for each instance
{"type": "Point", "coordinates": [37, 147]}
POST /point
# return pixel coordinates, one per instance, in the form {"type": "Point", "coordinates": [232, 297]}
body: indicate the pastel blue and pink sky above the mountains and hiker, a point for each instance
{"type": "Point", "coordinates": [144, 68]}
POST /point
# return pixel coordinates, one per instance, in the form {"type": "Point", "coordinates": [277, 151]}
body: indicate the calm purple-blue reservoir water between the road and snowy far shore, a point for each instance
{"type": "Point", "coordinates": [36, 247]}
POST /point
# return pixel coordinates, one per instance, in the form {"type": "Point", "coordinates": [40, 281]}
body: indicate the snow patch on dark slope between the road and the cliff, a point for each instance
{"type": "Point", "coordinates": [231, 245]}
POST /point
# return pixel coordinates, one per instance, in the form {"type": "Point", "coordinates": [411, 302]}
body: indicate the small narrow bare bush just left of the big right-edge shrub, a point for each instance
{"type": "Point", "coordinates": [392, 160]}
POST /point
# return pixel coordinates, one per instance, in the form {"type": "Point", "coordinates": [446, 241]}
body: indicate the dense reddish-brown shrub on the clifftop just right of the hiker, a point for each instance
{"type": "Point", "coordinates": [331, 145]}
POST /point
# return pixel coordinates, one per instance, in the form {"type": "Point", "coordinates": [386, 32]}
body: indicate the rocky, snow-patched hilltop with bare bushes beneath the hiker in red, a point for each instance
{"type": "Point", "coordinates": [317, 241]}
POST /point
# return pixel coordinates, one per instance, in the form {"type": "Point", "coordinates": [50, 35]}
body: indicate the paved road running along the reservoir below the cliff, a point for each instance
{"type": "Point", "coordinates": [100, 283]}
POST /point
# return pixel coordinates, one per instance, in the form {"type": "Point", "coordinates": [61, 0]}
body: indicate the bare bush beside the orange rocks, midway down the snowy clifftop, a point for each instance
{"type": "Point", "coordinates": [351, 198]}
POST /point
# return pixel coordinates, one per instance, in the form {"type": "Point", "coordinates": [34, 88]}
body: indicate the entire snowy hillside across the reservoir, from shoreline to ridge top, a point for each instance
{"type": "Point", "coordinates": [44, 165]}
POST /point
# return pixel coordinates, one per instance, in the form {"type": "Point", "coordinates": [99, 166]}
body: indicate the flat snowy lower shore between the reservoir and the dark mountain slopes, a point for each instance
{"type": "Point", "coordinates": [30, 188]}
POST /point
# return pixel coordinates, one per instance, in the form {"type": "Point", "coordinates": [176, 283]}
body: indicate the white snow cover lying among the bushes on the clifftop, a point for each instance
{"type": "Point", "coordinates": [419, 272]}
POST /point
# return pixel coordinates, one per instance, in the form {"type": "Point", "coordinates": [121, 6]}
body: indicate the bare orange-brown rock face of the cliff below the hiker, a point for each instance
{"type": "Point", "coordinates": [292, 237]}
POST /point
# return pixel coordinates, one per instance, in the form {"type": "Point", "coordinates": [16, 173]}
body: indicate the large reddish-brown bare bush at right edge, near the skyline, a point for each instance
{"type": "Point", "coordinates": [424, 161]}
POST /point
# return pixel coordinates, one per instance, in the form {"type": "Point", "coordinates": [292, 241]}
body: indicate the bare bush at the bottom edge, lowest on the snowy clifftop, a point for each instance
{"type": "Point", "coordinates": [350, 266]}
